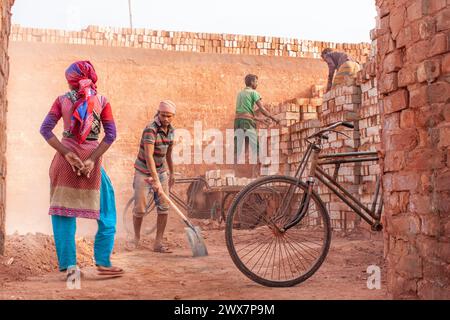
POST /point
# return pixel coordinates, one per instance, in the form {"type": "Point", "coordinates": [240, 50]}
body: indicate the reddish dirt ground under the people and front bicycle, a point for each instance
{"type": "Point", "coordinates": [29, 270]}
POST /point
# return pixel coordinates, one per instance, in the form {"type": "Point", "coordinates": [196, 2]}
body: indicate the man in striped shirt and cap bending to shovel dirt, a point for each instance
{"type": "Point", "coordinates": [154, 164]}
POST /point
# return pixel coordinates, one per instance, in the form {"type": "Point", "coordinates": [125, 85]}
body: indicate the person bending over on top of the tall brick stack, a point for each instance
{"type": "Point", "coordinates": [340, 63]}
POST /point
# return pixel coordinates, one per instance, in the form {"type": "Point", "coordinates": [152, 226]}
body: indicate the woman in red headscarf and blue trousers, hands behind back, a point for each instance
{"type": "Point", "coordinates": [79, 186]}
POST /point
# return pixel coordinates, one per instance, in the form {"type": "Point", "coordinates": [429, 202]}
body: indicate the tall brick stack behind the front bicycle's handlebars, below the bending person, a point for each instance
{"type": "Point", "coordinates": [341, 103]}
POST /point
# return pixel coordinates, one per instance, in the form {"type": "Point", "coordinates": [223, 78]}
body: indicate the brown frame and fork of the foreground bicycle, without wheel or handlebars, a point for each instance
{"type": "Point", "coordinates": [371, 215]}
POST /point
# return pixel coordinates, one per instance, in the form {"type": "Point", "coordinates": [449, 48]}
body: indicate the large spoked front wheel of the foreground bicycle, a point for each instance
{"type": "Point", "coordinates": [263, 253]}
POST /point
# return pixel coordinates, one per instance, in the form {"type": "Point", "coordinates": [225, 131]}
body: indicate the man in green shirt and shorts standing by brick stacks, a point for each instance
{"type": "Point", "coordinates": [245, 118]}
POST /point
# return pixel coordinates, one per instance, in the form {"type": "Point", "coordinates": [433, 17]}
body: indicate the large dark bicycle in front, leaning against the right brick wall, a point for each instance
{"type": "Point", "coordinates": [283, 239]}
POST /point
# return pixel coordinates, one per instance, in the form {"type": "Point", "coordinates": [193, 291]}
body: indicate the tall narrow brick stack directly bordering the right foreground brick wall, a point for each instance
{"type": "Point", "coordinates": [369, 130]}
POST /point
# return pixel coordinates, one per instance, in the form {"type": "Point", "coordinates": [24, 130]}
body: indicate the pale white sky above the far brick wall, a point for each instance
{"type": "Point", "coordinates": [323, 20]}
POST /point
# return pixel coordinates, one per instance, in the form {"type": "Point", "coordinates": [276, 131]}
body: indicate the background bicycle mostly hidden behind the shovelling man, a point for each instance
{"type": "Point", "coordinates": [189, 205]}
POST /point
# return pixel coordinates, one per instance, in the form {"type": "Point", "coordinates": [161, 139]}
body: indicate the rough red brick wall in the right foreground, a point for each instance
{"type": "Point", "coordinates": [413, 80]}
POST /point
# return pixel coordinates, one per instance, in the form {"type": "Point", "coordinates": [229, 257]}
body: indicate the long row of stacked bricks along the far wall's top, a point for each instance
{"type": "Point", "coordinates": [188, 41]}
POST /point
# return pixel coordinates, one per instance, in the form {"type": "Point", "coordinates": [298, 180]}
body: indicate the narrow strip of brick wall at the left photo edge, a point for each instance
{"type": "Point", "coordinates": [5, 10]}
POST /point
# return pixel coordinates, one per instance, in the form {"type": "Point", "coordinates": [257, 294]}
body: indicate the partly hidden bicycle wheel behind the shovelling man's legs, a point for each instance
{"type": "Point", "coordinates": [149, 222]}
